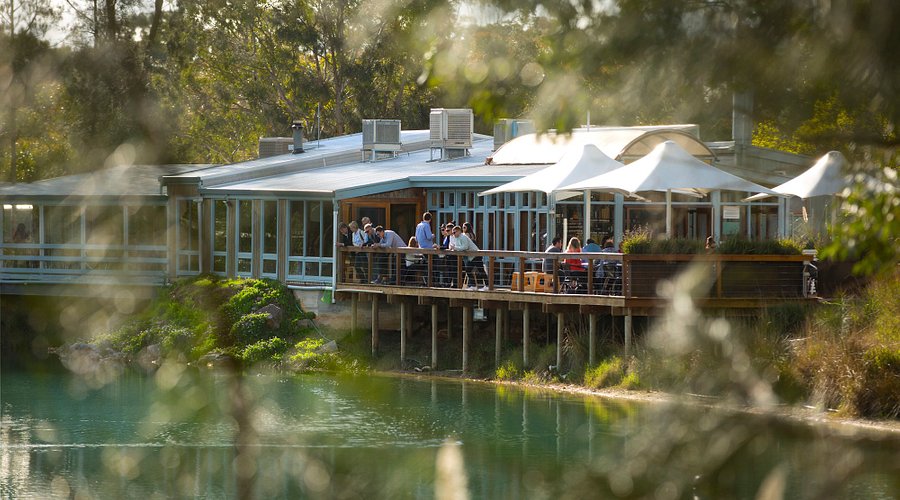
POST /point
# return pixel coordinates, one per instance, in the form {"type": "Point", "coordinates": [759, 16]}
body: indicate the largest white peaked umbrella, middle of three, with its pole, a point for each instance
{"type": "Point", "coordinates": [667, 168]}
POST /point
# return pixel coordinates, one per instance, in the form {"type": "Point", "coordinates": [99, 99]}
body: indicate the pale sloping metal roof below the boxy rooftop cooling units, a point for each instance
{"type": "Point", "coordinates": [354, 179]}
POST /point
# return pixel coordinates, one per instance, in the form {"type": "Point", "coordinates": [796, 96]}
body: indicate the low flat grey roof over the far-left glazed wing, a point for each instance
{"type": "Point", "coordinates": [115, 182]}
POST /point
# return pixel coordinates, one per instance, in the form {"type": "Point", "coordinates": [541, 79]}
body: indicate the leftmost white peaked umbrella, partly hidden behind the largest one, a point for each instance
{"type": "Point", "coordinates": [576, 165]}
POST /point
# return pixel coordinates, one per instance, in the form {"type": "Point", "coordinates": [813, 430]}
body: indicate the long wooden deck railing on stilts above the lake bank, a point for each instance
{"type": "Point", "coordinates": [606, 274]}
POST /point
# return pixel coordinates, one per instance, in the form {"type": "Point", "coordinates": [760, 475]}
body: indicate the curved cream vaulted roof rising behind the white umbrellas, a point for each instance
{"type": "Point", "coordinates": [616, 142]}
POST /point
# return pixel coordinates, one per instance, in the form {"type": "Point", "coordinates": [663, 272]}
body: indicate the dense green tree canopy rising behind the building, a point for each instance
{"type": "Point", "coordinates": [185, 81]}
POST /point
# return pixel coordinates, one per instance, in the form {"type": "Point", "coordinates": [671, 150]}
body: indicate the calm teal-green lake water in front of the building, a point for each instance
{"type": "Point", "coordinates": [181, 433]}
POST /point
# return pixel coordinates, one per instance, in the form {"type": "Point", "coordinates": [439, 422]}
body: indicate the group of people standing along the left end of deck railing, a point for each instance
{"type": "Point", "coordinates": [452, 237]}
